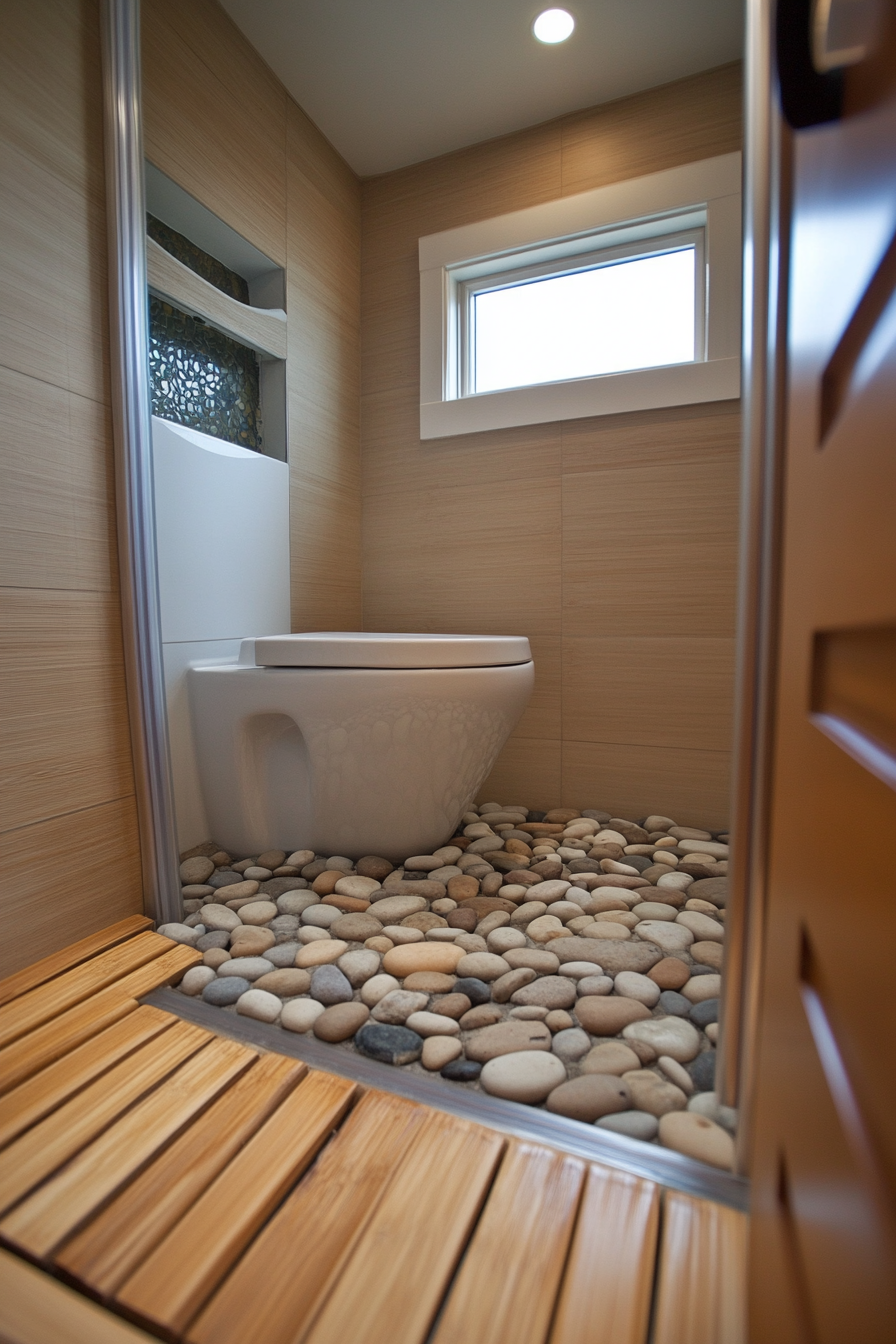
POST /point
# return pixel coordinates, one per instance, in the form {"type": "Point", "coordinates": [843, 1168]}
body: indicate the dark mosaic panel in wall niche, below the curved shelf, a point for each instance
{"type": "Point", "coordinates": [202, 378]}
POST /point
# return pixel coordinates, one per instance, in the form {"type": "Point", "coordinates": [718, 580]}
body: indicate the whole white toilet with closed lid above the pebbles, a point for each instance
{"type": "Point", "coordinates": [354, 744]}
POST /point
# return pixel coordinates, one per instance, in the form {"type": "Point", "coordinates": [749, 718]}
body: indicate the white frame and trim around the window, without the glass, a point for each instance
{"type": "Point", "coordinates": [559, 237]}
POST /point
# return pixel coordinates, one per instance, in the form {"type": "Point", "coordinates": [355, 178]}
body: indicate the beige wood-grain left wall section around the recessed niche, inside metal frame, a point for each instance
{"type": "Point", "coordinates": [224, 127]}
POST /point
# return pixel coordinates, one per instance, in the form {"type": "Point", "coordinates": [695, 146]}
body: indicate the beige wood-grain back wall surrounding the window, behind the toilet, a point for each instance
{"type": "Point", "coordinates": [611, 542]}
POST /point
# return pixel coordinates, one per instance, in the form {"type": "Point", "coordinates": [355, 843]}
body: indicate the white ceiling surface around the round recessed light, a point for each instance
{"type": "Point", "coordinates": [392, 83]}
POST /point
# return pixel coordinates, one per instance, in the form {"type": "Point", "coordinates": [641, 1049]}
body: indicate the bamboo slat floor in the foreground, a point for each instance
{"type": "Point", "coordinates": [199, 1190]}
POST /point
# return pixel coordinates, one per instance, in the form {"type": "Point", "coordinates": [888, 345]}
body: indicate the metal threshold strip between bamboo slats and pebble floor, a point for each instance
{"type": "Point", "coordinates": [572, 1136]}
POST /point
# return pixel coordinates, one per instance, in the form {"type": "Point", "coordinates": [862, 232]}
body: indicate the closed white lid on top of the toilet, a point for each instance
{"type": "Point", "coordinates": [357, 650]}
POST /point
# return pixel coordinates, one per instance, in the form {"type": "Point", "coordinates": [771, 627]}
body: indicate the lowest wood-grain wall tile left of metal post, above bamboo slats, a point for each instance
{"type": "Point", "coordinates": [68, 877]}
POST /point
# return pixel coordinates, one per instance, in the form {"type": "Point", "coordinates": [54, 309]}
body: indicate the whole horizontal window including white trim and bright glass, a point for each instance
{"type": "Point", "coordinates": [636, 311]}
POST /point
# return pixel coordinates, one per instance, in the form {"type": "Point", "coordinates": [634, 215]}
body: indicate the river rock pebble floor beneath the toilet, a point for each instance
{"type": "Point", "coordinates": [569, 960]}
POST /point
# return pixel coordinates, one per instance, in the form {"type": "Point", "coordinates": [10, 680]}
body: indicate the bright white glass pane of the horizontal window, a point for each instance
{"type": "Point", "coordinates": [621, 317]}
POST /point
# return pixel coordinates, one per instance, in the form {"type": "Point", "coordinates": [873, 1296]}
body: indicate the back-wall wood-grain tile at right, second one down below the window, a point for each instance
{"type": "Point", "coordinates": [652, 550]}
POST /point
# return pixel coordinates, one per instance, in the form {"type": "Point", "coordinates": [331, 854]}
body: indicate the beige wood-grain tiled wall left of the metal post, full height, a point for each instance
{"type": "Point", "coordinates": [69, 847]}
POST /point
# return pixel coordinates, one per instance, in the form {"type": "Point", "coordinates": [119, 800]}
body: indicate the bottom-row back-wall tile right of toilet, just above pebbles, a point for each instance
{"type": "Point", "coordinates": [633, 782]}
